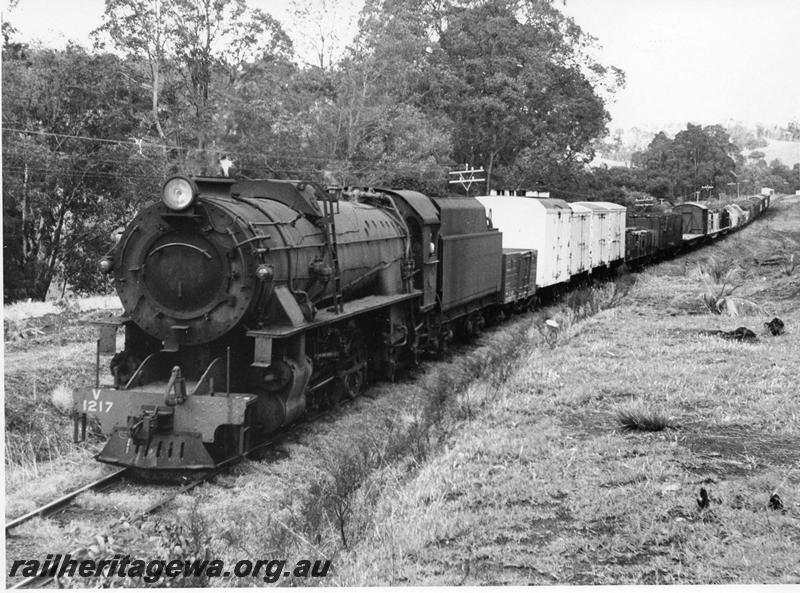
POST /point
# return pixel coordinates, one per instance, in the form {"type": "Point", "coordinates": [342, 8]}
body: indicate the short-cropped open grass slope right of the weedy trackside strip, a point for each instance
{"type": "Point", "coordinates": [543, 486]}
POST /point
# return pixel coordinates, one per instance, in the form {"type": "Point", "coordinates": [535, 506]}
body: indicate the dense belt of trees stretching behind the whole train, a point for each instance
{"type": "Point", "coordinates": [426, 86]}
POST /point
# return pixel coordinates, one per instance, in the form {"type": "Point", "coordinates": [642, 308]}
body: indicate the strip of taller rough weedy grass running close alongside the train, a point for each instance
{"type": "Point", "coordinates": [320, 498]}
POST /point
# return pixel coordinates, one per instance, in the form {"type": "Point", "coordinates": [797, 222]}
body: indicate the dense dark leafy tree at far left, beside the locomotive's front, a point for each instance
{"type": "Point", "coordinates": [62, 188]}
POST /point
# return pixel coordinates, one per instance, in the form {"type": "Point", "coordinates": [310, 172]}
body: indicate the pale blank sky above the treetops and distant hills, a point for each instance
{"type": "Point", "coordinates": [699, 61]}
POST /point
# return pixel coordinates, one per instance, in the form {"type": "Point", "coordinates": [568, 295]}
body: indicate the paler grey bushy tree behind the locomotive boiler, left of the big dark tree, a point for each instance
{"type": "Point", "coordinates": [360, 121]}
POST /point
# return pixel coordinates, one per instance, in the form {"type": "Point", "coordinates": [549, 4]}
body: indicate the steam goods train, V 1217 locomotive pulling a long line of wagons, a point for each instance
{"type": "Point", "coordinates": [247, 303]}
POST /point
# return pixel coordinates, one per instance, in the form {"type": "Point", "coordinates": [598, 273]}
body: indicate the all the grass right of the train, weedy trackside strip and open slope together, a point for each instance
{"type": "Point", "coordinates": [508, 463]}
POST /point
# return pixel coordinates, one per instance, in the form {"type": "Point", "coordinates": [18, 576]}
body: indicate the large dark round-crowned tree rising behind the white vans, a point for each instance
{"type": "Point", "coordinates": [517, 87]}
